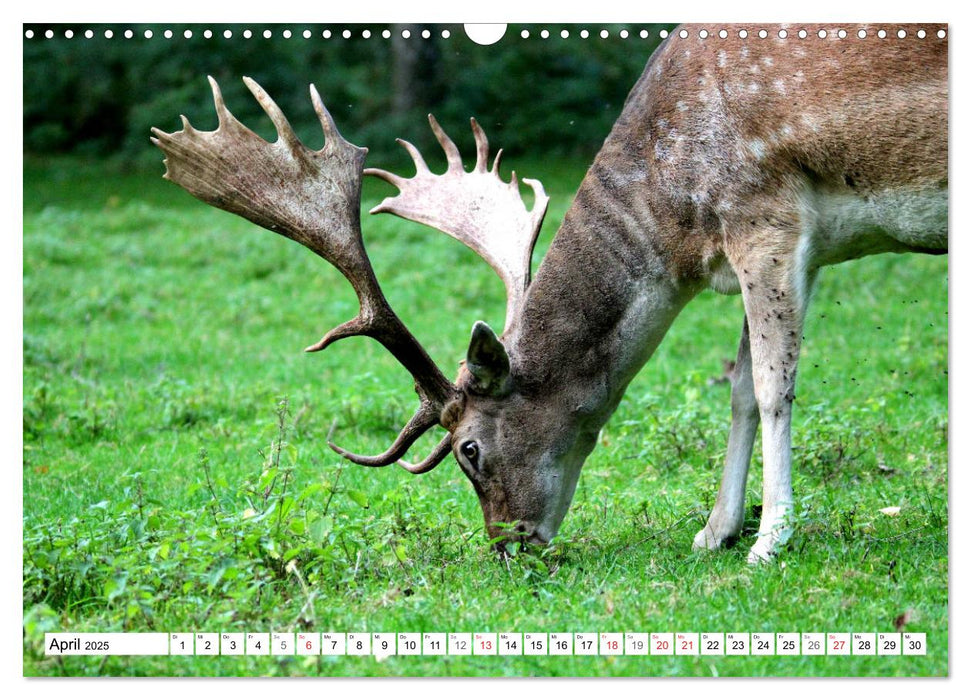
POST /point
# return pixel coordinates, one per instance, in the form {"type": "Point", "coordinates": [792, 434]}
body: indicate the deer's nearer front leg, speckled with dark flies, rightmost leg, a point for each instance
{"type": "Point", "coordinates": [775, 291]}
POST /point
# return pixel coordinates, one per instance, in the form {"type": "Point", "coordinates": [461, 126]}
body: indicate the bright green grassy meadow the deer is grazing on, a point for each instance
{"type": "Point", "coordinates": [177, 478]}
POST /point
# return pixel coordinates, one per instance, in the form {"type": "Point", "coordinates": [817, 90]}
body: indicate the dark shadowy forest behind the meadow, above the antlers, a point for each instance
{"type": "Point", "coordinates": [98, 97]}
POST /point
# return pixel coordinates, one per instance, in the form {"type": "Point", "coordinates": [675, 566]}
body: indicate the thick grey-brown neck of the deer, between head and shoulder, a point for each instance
{"type": "Point", "coordinates": [604, 296]}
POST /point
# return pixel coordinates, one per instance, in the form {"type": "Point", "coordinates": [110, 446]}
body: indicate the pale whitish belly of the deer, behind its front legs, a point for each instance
{"type": "Point", "coordinates": [843, 226]}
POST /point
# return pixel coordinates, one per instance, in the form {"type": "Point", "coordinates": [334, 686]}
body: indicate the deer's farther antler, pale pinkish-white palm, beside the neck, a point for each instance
{"type": "Point", "coordinates": [476, 208]}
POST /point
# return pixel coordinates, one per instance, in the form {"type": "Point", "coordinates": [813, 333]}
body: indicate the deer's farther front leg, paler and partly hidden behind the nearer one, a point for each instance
{"type": "Point", "coordinates": [725, 521]}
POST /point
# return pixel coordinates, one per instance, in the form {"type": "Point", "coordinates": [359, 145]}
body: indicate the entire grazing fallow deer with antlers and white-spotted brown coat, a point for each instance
{"type": "Point", "coordinates": [739, 164]}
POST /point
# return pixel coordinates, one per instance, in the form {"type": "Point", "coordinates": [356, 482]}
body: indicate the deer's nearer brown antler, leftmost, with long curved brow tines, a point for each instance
{"type": "Point", "coordinates": [314, 198]}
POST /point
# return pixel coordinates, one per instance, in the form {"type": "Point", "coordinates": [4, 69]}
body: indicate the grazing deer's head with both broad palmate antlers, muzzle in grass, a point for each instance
{"type": "Point", "coordinates": [521, 455]}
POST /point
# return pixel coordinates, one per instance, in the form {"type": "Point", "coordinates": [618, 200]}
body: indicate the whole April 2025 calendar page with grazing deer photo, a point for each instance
{"type": "Point", "coordinates": [276, 424]}
